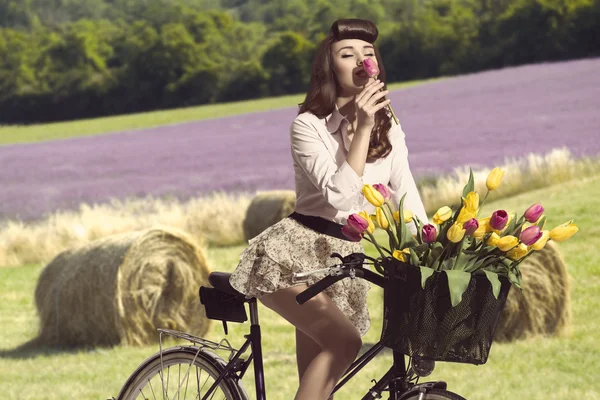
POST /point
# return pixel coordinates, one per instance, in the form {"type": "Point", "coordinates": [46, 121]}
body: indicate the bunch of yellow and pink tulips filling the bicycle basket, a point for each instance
{"type": "Point", "coordinates": [459, 242]}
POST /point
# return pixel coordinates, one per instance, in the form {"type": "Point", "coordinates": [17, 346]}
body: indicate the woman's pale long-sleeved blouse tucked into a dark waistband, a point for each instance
{"type": "Point", "coordinates": [328, 187]}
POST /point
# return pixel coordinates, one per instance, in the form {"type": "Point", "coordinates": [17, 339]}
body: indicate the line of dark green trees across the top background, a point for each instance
{"type": "Point", "coordinates": [71, 59]}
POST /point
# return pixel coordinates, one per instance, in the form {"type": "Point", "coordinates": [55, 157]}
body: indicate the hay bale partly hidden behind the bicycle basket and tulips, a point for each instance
{"type": "Point", "coordinates": [544, 306]}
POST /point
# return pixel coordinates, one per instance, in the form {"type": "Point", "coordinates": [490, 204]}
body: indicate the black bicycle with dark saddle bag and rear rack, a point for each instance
{"type": "Point", "coordinates": [223, 302]}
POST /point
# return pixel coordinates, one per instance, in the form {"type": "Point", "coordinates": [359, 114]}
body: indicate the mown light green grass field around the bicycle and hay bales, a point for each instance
{"type": "Point", "coordinates": [535, 369]}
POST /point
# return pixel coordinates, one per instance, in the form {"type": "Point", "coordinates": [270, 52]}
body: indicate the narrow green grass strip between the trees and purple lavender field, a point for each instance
{"type": "Point", "coordinates": [10, 134]}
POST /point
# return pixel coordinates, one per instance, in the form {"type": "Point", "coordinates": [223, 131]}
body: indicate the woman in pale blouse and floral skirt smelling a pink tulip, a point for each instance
{"type": "Point", "coordinates": [342, 138]}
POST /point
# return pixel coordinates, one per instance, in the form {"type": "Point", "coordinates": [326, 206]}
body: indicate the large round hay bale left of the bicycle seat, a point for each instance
{"type": "Point", "coordinates": [120, 289]}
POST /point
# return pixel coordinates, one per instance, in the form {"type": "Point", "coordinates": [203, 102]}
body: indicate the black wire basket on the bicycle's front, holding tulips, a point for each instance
{"type": "Point", "coordinates": [422, 322]}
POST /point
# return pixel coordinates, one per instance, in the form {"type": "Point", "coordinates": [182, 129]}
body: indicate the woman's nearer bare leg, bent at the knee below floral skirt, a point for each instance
{"type": "Point", "coordinates": [320, 320]}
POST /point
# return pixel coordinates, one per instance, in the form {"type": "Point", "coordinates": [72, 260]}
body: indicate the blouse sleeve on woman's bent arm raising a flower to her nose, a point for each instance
{"type": "Point", "coordinates": [341, 187]}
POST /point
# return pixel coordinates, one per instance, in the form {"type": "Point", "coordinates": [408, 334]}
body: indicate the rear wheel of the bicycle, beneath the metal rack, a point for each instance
{"type": "Point", "coordinates": [140, 384]}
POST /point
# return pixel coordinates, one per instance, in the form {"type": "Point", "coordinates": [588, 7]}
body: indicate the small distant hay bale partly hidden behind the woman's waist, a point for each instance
{"type": "Point", "coordinates": [266, 209]}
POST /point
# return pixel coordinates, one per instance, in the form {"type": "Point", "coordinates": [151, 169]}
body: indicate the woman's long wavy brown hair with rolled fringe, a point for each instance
{"type": "Point", "coordinates": [321, 96]}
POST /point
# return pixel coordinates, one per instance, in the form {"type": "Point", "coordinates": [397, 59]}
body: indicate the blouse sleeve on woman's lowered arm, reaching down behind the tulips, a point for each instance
{"type": "Point", "coordinates": [402, 180]}
